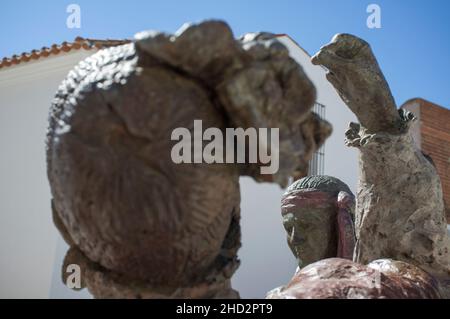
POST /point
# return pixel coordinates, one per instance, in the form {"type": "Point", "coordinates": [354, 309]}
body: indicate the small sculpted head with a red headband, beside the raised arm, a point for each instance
{"type": "Point", "coordinates": [312, 210]}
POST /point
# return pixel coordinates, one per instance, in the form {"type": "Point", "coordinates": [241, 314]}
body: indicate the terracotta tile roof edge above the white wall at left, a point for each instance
{"type": "Point", "coordinates": [77, 44]}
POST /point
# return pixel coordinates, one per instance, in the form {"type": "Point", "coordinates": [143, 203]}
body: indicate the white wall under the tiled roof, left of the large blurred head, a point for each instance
{"type": "Point", "coordinates": [27, 235]}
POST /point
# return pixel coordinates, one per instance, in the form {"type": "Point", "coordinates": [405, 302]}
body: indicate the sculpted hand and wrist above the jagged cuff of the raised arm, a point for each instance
{"type": "Point", "coordinates": [355, 74]}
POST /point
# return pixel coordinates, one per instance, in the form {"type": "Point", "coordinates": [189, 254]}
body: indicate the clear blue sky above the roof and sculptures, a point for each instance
{"type": "Point", "coordinates": [412, 46]}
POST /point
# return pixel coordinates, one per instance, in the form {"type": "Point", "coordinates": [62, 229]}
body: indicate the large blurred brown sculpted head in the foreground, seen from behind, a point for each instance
{"type": "Point", "coordinates": [139, 224]}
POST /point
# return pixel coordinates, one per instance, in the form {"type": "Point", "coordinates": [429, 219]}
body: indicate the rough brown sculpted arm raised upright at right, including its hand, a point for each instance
{"type": "Point", "coordinates": [399, 206]}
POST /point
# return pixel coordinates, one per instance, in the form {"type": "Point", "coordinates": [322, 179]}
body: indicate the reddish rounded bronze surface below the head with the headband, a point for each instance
{"type": "Point", "coordinates": [337, 278]}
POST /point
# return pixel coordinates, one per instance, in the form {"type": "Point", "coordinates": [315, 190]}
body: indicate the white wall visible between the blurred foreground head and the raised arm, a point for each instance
{"type": "Point", "coordinates": [266, 259]}
